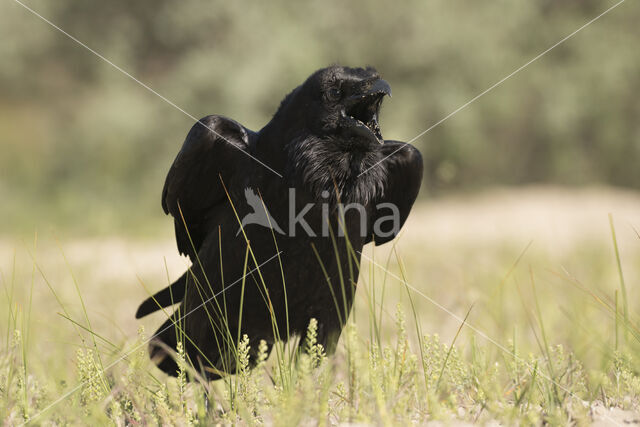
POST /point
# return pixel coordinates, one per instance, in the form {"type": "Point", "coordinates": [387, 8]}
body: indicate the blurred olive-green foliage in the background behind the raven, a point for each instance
{"type": "Point", "coordinates": [83, 145]}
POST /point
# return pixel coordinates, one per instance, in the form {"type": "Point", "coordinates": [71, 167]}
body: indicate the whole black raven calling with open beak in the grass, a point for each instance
{"type": "Point", "coordinates": [328, 179]}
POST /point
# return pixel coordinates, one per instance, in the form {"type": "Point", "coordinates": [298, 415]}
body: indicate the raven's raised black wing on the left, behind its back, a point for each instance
{"type": "Point", "coordinates": [193, 186]}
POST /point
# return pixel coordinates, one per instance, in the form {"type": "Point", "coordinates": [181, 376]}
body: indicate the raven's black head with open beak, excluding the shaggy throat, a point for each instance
{"type": "Point", "coordinates": [340, 104]}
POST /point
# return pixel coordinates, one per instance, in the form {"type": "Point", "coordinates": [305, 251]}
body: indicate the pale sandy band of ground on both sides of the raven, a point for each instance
{"type": "Point", "coordinates": [552, 219]}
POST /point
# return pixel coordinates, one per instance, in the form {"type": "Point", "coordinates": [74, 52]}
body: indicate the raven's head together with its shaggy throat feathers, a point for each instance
{"type": "Point", "coordinates": [328, 127]}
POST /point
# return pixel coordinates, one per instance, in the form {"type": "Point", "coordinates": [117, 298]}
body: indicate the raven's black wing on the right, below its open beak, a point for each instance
{"type": "Point", "coordinates": [404, 176]}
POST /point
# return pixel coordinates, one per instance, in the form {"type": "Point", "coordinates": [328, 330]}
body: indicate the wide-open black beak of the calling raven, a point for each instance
{"type": "Point", "coordinates": [361, 109]}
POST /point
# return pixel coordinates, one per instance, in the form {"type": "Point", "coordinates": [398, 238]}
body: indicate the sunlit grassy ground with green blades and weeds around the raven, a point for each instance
{"type": "Point", "coordinates": [447, 326]}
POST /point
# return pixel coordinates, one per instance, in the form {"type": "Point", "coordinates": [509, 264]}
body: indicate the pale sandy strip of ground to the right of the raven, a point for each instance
{"type": "Point", "coordinates": [550, 216]}
